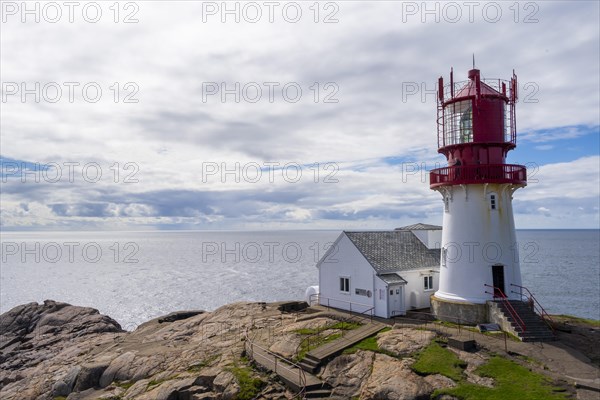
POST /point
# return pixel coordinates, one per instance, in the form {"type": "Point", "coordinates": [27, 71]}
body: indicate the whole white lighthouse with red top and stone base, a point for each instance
{"type": "Point", "coordinates": [479, 257]}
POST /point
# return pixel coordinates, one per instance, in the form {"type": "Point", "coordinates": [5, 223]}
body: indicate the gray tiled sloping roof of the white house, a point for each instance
{"type": "Point", "coordinates": [397, 250]}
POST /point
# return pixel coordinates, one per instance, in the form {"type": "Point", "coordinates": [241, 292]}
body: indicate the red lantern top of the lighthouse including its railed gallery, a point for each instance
{"type": "Point", "coordinates": [476, 129]}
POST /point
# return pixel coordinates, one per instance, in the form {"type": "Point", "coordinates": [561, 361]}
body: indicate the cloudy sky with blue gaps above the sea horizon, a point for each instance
{"type": "Point", "coordinates": [281, 115]}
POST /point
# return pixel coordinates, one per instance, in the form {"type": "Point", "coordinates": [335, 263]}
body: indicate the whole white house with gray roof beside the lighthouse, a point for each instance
{"type": "Point", "coordinates": [383, 272]}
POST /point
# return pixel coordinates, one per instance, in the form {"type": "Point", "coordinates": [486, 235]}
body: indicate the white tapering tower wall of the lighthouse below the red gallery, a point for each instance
{"type": "Point", "coordinates": [477, 238]}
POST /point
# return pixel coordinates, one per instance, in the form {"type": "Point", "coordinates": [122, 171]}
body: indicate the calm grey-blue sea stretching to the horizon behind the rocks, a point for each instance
{"type": "Point", "coordinates": [137, 276]}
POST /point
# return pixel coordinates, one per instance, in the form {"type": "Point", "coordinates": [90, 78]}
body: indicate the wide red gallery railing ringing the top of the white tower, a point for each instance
{"type": "Point", "coordinates": [474, 174]}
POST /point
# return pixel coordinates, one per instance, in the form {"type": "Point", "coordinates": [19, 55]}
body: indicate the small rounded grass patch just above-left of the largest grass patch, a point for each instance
{"type": "Point", "coordinates": [435, 359]}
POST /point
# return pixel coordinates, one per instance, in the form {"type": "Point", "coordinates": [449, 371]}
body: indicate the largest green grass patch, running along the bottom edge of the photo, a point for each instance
{"type": "Point", "coordinates": [513, 381]}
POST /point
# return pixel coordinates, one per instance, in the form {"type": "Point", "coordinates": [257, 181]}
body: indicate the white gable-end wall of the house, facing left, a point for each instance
{"type": "Point", "coordinates": [344, 259]}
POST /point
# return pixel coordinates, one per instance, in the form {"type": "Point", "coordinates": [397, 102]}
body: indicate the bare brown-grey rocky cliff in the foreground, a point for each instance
{"type": "Point", "coordinates": [59, 351]}
